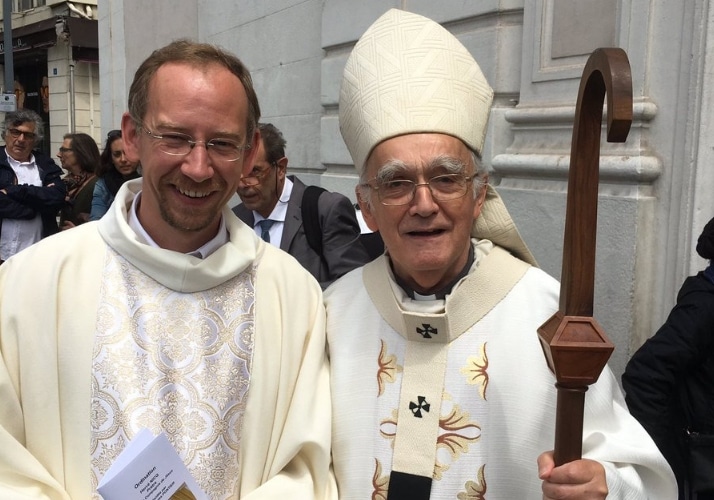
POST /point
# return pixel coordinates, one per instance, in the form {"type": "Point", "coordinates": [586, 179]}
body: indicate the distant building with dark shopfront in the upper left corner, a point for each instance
{"type": "Point", "coordinates": [56, 65]}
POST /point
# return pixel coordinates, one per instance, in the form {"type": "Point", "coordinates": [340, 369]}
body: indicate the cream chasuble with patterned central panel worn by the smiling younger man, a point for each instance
{"type": "Point", "coordinates": [102, 334]}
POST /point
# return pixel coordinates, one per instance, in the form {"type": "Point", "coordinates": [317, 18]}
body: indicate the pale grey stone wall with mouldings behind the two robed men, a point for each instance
{"type": "Point", "coordinates": [656, 190]}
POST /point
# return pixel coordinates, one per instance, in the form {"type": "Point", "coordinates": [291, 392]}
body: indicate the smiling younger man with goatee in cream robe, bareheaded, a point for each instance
{"type": "Point", "coordinates": [168, 314]}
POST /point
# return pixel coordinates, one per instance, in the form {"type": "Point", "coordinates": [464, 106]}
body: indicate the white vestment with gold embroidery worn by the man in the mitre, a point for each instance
{"type": "Point", "coordinates": [479, 375]}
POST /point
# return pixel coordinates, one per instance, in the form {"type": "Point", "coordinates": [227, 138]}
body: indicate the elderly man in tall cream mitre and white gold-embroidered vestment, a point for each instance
{"type": "Point", "coordinates": [439, 384]}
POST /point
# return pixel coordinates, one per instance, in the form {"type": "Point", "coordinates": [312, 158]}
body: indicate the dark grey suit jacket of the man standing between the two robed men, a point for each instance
{"type": "Point", "coordinates": [341, 249]}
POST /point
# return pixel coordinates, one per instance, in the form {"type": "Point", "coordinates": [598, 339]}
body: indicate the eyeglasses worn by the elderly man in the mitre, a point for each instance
{"type": "Point", "coordinates": [445, 187]}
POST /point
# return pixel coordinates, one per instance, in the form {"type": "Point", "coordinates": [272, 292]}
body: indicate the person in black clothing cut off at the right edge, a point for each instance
{"type": "Point", "coordinates": [669, 381]}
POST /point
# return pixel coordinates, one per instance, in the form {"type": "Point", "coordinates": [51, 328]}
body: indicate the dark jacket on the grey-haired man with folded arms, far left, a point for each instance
{"type": "Point", "coordinates": [24, 202]}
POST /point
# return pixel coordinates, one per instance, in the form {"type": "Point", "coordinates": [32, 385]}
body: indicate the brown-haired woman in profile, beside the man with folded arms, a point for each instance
{"type": "Point", "coordinates": [79, 155]}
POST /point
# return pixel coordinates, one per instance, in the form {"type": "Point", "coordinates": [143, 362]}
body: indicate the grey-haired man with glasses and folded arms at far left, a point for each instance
{"type": "Point", "coordinates": [31, 187]}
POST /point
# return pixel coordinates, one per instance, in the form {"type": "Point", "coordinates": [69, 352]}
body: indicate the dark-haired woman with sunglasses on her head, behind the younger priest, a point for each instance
{"type": "Point", "coordinates": [114, 170]}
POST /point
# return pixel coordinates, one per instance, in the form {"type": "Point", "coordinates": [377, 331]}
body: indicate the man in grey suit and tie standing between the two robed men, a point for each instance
{"type": "Point", "coordinates": [272, 203]}
